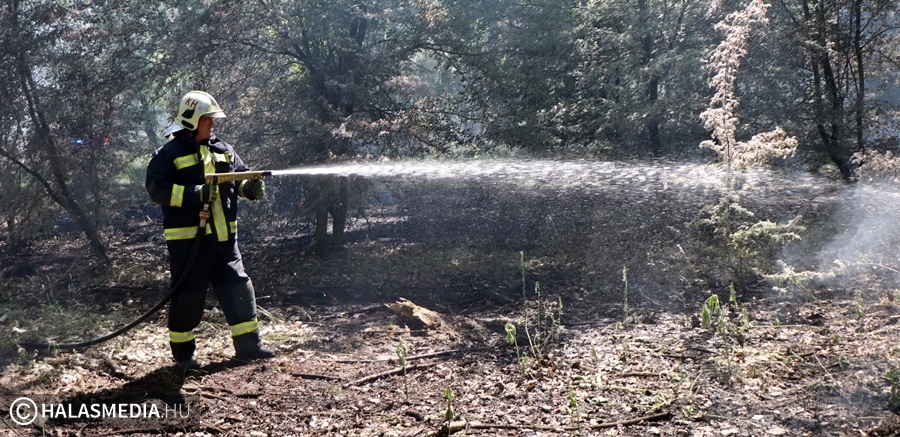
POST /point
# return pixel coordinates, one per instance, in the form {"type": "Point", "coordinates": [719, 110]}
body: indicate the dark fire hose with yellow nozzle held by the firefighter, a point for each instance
{"type": "Point", "coordinates": [211, 179]}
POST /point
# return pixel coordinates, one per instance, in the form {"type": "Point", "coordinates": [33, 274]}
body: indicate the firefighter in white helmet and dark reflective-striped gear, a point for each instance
{"type": "Point", "coordinates": [175, 180]}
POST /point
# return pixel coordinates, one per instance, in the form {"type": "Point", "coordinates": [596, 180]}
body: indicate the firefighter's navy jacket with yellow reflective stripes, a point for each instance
{"type": "Point", "coordinates": [174, 176]}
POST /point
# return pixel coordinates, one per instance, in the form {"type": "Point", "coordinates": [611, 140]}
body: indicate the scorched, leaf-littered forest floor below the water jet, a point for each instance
{"type": "Point", "coordinates": [605, 266]}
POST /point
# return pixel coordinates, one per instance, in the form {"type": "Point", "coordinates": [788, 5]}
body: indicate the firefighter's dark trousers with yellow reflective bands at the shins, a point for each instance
{"type": "Point", "coordinates": [218, 264]}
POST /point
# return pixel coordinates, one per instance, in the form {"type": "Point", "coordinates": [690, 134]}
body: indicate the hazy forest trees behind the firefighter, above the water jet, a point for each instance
{"type": "Point", "coordinates": [87, 87]}
